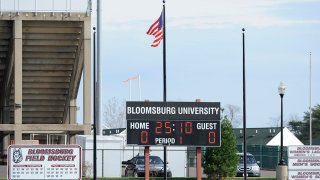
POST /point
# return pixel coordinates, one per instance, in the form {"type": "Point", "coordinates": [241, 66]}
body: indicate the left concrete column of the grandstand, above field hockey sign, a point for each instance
{"type": "Point", "coordinates": [17, 80]}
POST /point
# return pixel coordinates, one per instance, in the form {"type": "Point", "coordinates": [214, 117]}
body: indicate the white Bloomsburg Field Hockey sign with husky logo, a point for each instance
{"type": "Point", "coordinates": [44, 162]}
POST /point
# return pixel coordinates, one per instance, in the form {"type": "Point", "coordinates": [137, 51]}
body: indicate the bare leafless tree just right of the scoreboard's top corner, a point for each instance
{"type": "Point", "coordinates": [233, 114]}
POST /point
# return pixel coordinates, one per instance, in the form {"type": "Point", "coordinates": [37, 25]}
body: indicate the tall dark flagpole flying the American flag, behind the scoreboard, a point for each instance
{"type": "Point", "coordinates": [164, 82]}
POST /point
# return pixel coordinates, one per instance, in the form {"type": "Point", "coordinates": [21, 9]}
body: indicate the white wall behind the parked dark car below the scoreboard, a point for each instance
{"type": "Point", "coordinates": [115, 151]}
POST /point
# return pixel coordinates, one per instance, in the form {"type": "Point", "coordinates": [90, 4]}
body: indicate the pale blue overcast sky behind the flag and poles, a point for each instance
{"type": "Point", "coordinates": [204, 52]}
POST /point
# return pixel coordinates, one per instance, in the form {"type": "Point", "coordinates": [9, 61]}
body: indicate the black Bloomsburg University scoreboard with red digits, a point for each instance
{"type": "Point", "coordinates": [173, 123]}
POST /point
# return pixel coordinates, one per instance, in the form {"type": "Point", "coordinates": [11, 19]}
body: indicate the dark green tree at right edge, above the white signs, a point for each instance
{"type": "Point", "coordinates": [301, 129]}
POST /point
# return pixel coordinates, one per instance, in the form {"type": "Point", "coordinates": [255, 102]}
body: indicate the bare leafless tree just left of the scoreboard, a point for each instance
{"type": "Point", "coordinates": [115, 113]}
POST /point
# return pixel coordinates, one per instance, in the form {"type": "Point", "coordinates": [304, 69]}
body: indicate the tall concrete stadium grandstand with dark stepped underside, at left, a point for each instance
{"type": "Point", "coordinates": [42, 58]}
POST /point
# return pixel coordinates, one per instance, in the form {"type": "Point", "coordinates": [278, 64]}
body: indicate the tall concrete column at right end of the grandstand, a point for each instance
{"type": "Point", "coordinates": [87, 76]}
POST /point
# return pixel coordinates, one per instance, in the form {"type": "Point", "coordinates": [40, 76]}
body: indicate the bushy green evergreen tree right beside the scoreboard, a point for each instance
{"type": "Point", "coordinates": [220, 162]}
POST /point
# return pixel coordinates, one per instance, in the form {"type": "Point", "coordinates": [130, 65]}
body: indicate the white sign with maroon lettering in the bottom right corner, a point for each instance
{"type": "Point", "coordinates": [304, 162]}
